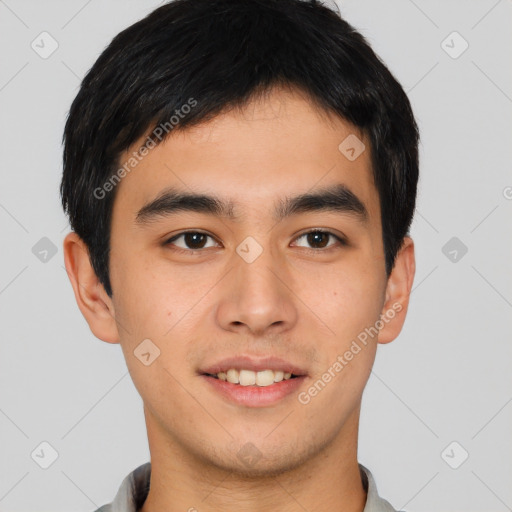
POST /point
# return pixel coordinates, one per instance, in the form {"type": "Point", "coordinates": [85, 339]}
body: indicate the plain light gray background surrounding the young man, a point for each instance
{"type": "Point", "coordinates": [445, 379]}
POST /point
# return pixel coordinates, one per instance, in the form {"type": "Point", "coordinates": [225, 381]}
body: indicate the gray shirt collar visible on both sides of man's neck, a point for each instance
{"type": "Point", "coordinates": [135, 487]}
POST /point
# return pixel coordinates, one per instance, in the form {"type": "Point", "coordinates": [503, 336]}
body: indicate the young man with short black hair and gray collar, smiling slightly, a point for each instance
{"type": "Point", "coordinates": [240, 177]}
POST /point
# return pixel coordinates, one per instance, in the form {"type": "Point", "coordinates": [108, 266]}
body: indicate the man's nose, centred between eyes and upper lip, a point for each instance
{"type": "Point", "coordinates": [257, 297]}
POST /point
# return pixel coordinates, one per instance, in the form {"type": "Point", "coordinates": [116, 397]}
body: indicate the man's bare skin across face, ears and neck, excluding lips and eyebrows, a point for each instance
{"type": "Point", "coordinates": [291, 302]}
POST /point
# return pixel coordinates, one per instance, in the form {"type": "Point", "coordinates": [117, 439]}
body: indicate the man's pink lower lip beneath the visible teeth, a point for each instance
{"type": "Point", "coordinates": [255, 396]}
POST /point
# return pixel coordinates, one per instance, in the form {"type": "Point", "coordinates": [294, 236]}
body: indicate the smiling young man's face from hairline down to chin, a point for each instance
{"type": "Point", "coordinates": [265, 282]}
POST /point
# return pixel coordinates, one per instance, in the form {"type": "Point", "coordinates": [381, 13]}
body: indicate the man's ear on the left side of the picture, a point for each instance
{"type": "Point", "coordinates": [90, 295]}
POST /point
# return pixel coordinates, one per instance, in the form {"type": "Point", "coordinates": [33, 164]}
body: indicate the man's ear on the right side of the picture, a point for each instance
{"type": "Point", "coordinates": [398, 289]}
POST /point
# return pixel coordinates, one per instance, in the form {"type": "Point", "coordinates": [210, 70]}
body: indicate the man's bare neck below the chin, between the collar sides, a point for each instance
{"type": "Point", "coordinates": [328, 480]}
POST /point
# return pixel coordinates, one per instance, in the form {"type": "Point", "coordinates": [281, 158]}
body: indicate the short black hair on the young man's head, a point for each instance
{"type": "Point", "coordinates": [217, 55]}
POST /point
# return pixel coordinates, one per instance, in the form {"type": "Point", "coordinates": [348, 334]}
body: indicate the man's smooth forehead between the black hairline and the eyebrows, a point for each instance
{"type": "Point", "coordinates": [275, 146]}
